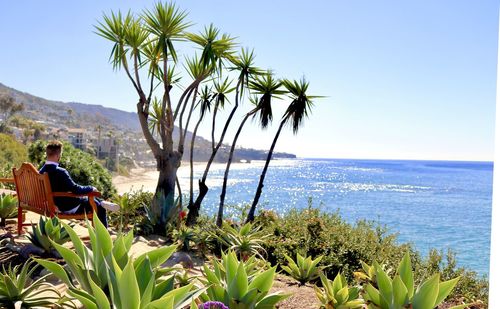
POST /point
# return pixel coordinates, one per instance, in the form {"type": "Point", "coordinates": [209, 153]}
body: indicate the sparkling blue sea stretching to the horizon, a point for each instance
{"type": "Point", "coordinates": [432, 204]}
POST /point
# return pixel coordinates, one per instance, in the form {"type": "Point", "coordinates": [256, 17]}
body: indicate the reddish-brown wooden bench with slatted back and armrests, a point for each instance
{"type": "Point", "coordinates": [34, 193]}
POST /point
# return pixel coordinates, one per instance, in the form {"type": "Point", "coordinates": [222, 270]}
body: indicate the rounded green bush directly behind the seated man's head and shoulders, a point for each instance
{"type": "Point", "coordinates": [83, 168]}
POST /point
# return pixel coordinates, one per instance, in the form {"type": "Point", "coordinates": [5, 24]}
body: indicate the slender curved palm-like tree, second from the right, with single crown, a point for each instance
{"type": "Point", "coordinates": [267, 88]}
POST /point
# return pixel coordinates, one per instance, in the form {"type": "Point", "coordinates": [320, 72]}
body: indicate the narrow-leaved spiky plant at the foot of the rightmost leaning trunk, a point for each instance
{"type": "Point", "coordinates": [246, 241]}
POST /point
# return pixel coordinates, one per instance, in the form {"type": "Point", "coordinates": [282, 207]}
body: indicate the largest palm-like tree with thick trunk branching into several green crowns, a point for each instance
{"type": "Point", "coordinates": [146, 42]}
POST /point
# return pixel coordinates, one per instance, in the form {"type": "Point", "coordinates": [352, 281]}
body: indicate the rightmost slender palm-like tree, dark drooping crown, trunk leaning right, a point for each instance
{"type": "Point", "coordinates": [298, 109]}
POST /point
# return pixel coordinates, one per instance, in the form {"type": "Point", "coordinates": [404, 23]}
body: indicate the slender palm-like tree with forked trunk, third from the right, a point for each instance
{"type": "Point", "coordinates": [244, 64]}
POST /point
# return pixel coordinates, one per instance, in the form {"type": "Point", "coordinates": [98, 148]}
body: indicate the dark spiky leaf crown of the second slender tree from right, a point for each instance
{"type": "Point", "coordinates": [267, 87]}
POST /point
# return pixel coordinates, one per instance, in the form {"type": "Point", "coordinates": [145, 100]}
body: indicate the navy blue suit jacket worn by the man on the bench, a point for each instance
{"type": "Point", "coordinates": [61, 181]}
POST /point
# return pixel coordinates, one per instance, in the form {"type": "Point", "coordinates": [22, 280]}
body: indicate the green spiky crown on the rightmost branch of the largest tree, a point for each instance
{"type": "Point", "coordinates": [214, 48]}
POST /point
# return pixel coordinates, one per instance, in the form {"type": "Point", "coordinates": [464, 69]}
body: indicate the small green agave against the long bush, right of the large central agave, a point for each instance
{"type": "Point", "coordinates": [305, 269]}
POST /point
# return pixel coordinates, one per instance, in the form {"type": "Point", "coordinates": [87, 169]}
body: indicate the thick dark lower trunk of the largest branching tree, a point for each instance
{"type": "Point", "coordinates": [164, 200]}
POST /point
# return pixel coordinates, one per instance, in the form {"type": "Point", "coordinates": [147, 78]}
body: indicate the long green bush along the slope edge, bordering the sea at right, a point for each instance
{"type": "Point", "coordinates": [344, 246]}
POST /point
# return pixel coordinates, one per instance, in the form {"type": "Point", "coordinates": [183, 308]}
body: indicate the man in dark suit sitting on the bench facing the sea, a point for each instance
{"type": "Point", "coordinates": [61, 181]}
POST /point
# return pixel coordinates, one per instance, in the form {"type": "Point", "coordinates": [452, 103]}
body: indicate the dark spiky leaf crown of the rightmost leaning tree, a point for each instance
{"type": "Point", "coordinates": [301, 103]}
